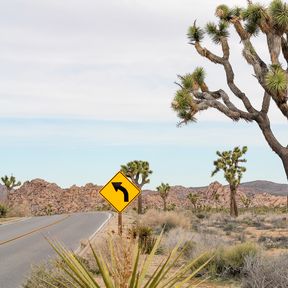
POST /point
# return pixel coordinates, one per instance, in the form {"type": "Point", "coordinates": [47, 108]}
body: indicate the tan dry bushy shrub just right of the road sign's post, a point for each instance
{"type": "Point", "coordinates": [167, 220]}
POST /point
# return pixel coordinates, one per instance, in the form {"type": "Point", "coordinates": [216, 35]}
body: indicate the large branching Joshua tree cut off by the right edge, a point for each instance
{"type": "Point", "coordinates": [194, 94]}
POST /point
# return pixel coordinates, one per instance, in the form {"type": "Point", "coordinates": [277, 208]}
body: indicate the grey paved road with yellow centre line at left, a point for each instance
{"type": "Point", "coordinates": [17, 256]}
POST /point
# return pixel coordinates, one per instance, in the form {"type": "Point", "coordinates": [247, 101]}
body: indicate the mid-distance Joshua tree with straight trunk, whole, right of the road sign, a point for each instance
{"type": "Point", "coordinates": [229, 162]}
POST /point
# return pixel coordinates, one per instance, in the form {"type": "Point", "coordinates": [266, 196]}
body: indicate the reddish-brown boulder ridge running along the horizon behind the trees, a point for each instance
{"type": "Point", "coordinates": [39, 197]}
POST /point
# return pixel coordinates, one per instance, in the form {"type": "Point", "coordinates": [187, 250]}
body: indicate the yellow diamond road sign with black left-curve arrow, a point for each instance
{"type": "Point", "coordinates": [120, 192]}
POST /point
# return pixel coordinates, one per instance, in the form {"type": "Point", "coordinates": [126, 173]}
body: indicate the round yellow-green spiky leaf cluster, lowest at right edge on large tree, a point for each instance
{"type": "Point", "coordinates": [276, 80]}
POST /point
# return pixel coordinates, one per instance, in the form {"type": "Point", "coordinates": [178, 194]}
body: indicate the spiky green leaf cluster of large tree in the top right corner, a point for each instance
{"type": "Point", "coordinates": [279, 13]}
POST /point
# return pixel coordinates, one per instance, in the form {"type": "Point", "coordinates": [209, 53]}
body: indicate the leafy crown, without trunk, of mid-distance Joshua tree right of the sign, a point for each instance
{"type": "Point", "coordinates": [229, 163]}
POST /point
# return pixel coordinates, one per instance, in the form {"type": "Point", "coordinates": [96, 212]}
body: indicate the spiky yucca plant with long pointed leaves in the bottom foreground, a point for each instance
{"type": "Point", "coordinates": [134, 273]}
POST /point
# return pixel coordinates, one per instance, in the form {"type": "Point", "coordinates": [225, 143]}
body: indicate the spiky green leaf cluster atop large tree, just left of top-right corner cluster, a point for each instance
{"type": "Point", "coordinates": [252, 17]}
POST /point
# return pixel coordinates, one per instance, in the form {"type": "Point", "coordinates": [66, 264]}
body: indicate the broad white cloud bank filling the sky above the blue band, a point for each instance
{"type": "Point", "coordinates": [112, 60]}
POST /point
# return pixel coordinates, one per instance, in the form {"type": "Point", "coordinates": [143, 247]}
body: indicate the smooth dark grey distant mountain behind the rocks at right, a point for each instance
{"type": "Point", "coordinates": [268, 187]}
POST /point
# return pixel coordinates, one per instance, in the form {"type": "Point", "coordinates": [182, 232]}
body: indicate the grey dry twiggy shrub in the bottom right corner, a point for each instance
{"type": "Point", "coordinates": [259, 272]}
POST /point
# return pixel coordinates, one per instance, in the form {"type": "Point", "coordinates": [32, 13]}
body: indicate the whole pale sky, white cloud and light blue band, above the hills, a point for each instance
{"type": "Point", "coordinates": [86, 86]}
